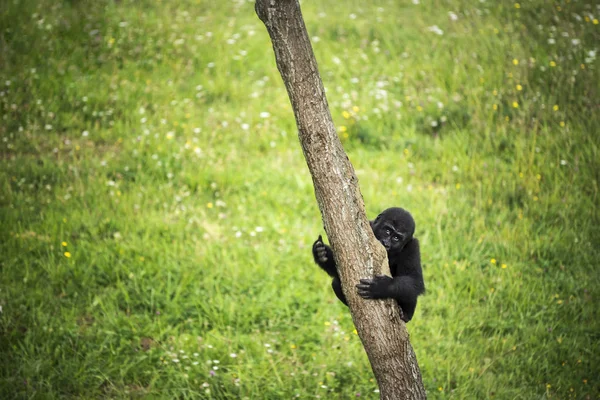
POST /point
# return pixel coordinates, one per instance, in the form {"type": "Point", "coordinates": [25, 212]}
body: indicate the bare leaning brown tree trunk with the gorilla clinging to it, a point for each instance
{"type": "Point", "coordinates": [357, 253]}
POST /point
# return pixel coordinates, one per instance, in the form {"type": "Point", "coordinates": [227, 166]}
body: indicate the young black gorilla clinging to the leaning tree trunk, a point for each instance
{"type": "Point", "coordinates": [394, 228]}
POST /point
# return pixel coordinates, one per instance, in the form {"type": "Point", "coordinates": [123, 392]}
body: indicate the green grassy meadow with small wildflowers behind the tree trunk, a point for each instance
{"type": "Point", "coordinates": [157, 213]}
